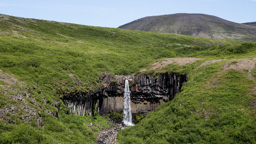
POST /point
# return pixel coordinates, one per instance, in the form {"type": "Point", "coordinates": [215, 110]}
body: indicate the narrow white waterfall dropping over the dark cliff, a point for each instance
{"type": "Point", "coordinates": [127, 119]}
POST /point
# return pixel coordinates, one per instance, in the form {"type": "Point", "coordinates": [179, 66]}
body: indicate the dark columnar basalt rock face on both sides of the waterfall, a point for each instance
{"type": "Point", "coordinates": [147, 92]}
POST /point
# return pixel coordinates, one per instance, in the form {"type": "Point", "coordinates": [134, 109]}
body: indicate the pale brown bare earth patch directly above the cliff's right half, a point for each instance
{"type": "Point", "coordinates": [166, 62]}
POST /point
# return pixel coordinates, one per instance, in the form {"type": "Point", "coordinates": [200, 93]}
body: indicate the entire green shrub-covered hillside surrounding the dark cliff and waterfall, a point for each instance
{"type": "Point", "coordinates": [39, 60]}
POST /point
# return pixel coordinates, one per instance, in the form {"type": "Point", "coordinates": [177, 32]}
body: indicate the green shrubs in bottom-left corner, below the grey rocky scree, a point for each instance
{"type": "Point", "coordinates": [66, 129]}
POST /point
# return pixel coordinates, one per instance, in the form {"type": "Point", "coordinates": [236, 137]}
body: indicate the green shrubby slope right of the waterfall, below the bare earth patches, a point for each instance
{"type": "Point", "coordinates": [214, 107]}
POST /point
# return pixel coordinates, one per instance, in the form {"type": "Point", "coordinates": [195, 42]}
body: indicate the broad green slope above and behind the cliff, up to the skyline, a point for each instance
{"type": "Point", "coordinates": [51, 51]}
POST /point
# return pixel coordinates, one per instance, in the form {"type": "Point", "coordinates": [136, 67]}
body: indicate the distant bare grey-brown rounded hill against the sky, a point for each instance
{"type": "Point", "coordinates": [198, 25]}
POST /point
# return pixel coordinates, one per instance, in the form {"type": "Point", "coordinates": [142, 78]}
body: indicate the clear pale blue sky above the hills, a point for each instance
{"type": "Point", "coordinates": [113, 13]}
